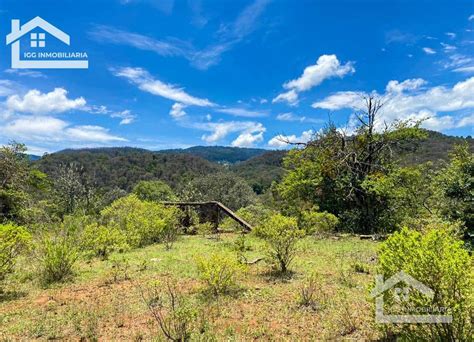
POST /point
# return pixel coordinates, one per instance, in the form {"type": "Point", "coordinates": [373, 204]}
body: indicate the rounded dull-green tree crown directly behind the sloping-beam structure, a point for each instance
{"type": "Point", "coordinates": [224, 187]}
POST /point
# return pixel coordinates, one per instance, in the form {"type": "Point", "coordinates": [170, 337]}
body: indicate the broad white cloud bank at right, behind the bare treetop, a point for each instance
{"type": "Point", "coordinates": [409, 102]}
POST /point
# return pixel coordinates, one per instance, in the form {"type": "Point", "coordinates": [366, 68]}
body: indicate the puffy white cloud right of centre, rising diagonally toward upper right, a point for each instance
{"type": "Point", "coordinates": [326, 67]}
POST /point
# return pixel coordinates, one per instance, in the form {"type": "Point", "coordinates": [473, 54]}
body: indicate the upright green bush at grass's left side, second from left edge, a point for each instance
{"type": "Point", "coordinates": [57, 253]}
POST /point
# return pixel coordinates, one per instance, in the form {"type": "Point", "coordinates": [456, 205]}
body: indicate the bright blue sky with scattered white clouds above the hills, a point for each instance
{"type": "Point", "coordinates": [173, 74]}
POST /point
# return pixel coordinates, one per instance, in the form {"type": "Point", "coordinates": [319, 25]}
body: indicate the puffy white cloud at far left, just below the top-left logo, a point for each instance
{"type": "Point", "coordinates": [36, 102]}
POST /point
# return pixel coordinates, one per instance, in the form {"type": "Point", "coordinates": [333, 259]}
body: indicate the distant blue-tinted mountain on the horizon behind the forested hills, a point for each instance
{"type": "Point", "coordinates": [220, 154]}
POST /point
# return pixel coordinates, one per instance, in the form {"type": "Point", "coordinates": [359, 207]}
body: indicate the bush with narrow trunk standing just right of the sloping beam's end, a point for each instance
{"type": "Point", "coordinates": [281, 235]}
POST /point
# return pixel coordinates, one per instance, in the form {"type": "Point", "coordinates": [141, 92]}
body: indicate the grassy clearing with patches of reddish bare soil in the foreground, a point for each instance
{"type": "Point", "coordinates": [104, 300]}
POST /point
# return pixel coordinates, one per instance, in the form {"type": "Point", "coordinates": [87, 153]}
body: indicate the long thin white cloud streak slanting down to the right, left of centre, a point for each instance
{"type": "Point", "coordinates": [146, 82]}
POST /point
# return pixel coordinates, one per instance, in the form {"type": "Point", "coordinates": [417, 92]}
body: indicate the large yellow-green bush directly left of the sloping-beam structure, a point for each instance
{"type": "Point", "coordinates": [141, 222]}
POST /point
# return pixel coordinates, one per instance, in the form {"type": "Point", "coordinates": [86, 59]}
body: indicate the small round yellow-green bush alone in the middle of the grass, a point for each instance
{"type": "Point", "coordinates": [219, 271]}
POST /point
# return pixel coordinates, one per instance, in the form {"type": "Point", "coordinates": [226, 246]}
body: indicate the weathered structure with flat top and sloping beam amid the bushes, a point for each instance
{"type": "Point", "coordinates": [211, 211]}
